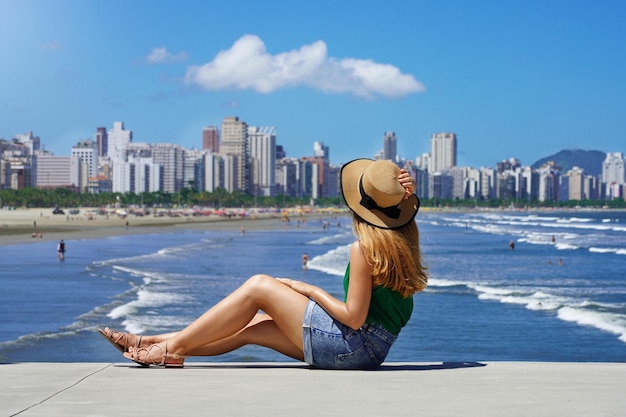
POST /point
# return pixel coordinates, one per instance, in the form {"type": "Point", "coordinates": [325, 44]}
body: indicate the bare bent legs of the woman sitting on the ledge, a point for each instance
{"type": "Point", "coordinates": [230, 322]}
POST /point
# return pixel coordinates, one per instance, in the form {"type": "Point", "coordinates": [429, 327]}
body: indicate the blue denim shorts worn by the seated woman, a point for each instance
{"type": "Point", "coordinates": [328, 344]}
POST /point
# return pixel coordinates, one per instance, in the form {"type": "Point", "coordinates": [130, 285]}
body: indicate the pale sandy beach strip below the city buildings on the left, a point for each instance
{"type": "Point", "coordinates": [38, 224]}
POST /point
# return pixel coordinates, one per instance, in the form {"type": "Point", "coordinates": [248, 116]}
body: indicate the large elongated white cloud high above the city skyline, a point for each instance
{"type": "Point", "coordinates": [247, 65]}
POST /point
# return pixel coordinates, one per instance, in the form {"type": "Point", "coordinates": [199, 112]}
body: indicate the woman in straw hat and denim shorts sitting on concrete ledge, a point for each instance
{"type": "Point", "coordinates": [304, 321]}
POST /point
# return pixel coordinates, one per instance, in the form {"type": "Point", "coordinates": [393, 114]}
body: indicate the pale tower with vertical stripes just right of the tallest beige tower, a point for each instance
{"type": "Point", "coordinates": [262, 144]}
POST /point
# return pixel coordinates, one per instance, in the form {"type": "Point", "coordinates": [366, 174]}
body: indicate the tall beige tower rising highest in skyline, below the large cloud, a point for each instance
{"type": "Point", "coordinates": [235, 143]}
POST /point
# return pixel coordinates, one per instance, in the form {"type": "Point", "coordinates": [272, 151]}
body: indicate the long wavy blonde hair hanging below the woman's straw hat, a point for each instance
{"type": "Point", "coordinates": [394, 256]}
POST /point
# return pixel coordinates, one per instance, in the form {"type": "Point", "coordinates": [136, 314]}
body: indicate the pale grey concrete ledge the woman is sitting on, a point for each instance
{"type": "Point", "coordinates": [290, 389]}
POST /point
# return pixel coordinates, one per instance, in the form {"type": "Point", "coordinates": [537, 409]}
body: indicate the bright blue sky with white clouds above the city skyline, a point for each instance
{"type": "Point", "coordinates": [511, 78]}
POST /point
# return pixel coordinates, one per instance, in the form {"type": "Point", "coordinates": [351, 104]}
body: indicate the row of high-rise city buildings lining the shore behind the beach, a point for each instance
{"type": "Point", "coordinates": [251, 162]}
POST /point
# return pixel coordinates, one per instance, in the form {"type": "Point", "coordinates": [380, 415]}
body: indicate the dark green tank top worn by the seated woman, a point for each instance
{"type": "Point", "coordinates": [387, 307]}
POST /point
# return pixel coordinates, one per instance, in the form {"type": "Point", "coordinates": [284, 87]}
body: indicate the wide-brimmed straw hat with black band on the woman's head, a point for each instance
{"type": "Point", "coordinates": [371, 189]}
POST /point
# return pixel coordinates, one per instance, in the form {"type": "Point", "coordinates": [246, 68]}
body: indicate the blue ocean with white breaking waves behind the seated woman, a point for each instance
{"type": "Point", "coordinates": [559, 295]}
